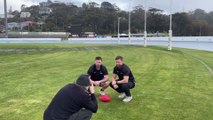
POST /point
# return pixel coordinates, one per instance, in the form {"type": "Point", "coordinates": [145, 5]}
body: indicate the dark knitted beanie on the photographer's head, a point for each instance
{"type": "Point", "coordinates": [83, 80]}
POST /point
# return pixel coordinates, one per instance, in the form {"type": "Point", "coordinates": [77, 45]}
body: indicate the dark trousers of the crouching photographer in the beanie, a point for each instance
{"type": "Point", "coordinates": [82, 114]}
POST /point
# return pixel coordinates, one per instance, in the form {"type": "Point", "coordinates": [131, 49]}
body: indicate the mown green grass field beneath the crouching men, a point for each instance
{"type": "Point", "coordinates": [171, 85]}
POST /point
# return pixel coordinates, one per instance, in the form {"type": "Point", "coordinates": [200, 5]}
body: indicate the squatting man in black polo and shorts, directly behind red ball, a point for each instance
{"type": "Point", "coordinates": [99, 75]}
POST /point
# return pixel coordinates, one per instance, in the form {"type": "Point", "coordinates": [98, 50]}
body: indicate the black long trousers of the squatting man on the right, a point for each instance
{"type": "Point", "coordinates": [124, 88]}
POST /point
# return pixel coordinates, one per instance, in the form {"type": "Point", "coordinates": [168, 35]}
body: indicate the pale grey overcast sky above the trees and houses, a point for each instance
{"type": "Point", "coordinates": [178, 5]}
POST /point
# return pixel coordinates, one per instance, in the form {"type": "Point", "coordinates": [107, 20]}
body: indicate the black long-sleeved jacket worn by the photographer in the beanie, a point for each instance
{"type": "Point", "coordinates": [69, 100]}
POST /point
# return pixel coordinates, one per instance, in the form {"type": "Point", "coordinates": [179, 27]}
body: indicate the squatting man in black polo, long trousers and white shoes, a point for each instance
{"type": "Point", "coordinates": [125, 82]}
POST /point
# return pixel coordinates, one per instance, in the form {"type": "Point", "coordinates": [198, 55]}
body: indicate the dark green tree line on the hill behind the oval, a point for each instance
{"type": "Point", "coordinates": [102, 19]}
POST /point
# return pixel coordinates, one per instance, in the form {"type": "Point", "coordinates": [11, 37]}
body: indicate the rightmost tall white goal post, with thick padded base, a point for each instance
{"type": "Point", "coordinates": [170, 28]}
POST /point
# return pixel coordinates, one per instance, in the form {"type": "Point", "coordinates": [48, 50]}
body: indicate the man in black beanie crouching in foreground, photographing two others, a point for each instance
{"type": "Point", "coordinates": [73, 102]}
